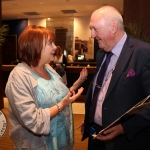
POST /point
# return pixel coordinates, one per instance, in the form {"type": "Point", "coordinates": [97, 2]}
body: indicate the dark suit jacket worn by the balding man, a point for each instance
{"type": "Point", "coordinates": [123, 93]}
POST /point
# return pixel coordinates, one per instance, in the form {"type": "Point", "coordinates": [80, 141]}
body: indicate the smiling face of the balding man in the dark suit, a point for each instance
{"type": "Point", "coordinates": [102, 33]}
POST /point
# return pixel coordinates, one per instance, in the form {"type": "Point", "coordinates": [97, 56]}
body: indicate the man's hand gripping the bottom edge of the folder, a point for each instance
{"type": "Point", "coordinates": [110, 133]}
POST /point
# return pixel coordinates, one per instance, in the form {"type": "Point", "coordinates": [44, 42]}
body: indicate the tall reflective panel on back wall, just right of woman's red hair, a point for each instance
{"type": "Point", "coordinates": [63, 29]}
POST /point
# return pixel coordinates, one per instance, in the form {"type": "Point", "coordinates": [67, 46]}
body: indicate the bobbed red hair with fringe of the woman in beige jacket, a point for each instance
{"type": "Point", "coordinates": [31, 42]}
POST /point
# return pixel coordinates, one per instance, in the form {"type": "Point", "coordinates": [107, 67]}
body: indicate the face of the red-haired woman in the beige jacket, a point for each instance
{"type": "Point", "coordinates": [48, 52]}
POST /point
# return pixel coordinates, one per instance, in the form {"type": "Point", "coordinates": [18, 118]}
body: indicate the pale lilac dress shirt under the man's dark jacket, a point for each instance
{"type": "Point", "coordinates": [116, 52]}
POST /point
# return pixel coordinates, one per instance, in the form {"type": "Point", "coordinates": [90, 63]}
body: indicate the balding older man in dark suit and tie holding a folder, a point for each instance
{"type": "Point", "coordinates": [120, 81]}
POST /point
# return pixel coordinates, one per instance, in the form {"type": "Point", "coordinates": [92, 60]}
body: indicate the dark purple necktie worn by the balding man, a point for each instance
{"type": "Point", "coordinates": [97, 89]}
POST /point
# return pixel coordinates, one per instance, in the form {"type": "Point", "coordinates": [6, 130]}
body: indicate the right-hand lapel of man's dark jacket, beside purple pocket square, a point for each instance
{"type": "Point", "coordinates": [124, 57]}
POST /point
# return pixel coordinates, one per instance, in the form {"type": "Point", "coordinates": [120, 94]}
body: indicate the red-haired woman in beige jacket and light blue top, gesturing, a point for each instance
{"type": "Point", "coordinates": [40, 112]}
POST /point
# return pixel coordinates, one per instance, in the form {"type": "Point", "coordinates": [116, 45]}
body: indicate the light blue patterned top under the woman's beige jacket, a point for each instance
{"type": "Point", "coordinates": [48, 93]}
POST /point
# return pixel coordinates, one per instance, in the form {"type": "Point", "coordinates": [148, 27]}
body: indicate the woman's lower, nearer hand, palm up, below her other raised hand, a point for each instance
{"type": "Point", "coordinates": [71, 97]}
